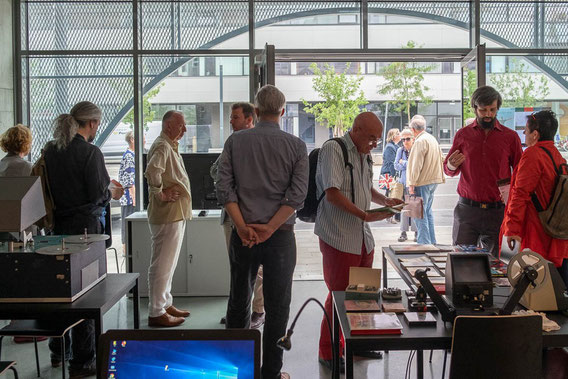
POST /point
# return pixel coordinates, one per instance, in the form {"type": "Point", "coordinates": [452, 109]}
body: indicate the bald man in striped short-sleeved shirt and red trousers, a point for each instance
{"type": "Point", "coordinates": [342, 226]}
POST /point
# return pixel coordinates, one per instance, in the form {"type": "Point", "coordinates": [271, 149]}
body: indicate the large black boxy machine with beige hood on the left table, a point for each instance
{"type": "Point", "coordinates": [42, 268]}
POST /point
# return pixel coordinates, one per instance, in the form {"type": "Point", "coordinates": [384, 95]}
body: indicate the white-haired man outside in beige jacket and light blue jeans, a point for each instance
{"type": "Point", "coordinates": [423, 174]}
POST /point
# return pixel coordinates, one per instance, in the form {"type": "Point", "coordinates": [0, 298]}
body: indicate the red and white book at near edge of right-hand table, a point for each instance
{"type": "Point", "coordinates": [374, 323]}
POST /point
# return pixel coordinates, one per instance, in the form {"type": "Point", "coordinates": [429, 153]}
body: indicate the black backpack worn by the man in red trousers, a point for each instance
{"type": "Point", "coordinates": [310, 210]}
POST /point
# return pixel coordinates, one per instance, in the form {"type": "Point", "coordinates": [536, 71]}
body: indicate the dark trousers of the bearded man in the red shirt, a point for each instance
{"type": "Point", "coordinates": [477, 226]}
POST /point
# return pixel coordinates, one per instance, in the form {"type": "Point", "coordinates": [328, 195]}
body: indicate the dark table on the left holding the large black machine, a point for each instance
{"type": "Point", "coordinates": [92, 305]}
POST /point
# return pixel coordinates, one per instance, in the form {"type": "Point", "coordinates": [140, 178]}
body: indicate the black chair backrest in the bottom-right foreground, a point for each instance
{"type": "Point", "coordinates": [504, 347]}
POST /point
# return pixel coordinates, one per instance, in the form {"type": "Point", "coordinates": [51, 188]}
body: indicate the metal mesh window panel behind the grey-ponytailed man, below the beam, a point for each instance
{"type": "Point", "coordinates": [58, 83]}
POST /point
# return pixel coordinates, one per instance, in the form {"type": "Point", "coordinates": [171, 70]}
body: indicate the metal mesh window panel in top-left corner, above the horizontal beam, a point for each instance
{"type": "Point", "coordinates": [80, 25]}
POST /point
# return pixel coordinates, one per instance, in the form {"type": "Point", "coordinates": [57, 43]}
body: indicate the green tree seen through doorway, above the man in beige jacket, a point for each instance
{"type": "Point", "coordinates": [404, 83]}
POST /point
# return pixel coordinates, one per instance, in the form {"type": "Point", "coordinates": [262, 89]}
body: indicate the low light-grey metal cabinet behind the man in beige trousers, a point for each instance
{"type": "Point", "coordinates": [203, 265]}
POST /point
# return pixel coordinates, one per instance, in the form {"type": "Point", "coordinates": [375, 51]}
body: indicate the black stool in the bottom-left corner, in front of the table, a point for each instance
{"type": "Point", "coordinates": [39, 328]}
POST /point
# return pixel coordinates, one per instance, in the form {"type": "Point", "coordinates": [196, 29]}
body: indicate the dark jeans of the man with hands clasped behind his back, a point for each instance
{"type": "Point", "coordinates": [277, 255]}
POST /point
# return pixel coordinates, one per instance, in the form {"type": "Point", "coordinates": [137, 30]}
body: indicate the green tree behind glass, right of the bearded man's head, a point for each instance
{"type": "Point", "coordinates": [519, 87]}
